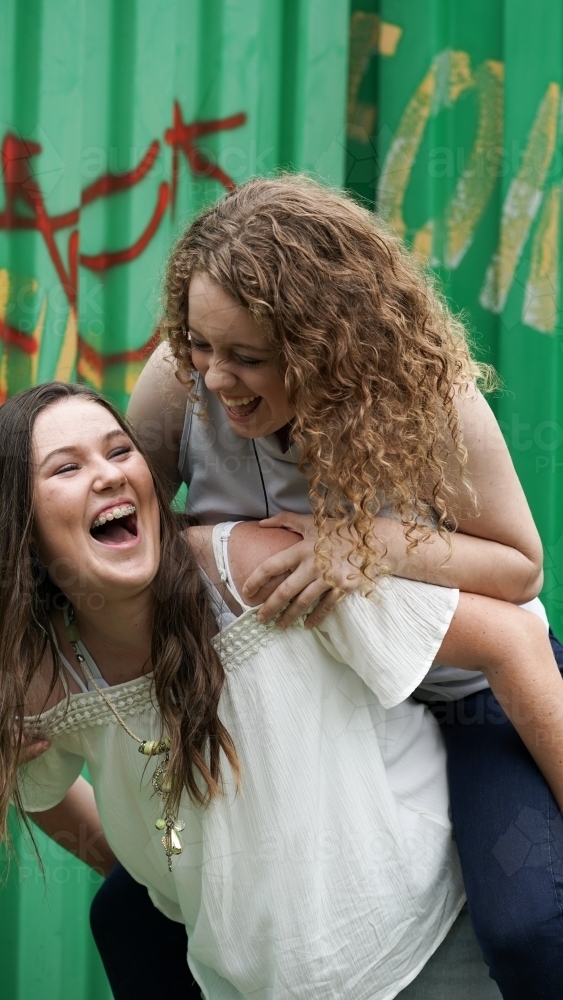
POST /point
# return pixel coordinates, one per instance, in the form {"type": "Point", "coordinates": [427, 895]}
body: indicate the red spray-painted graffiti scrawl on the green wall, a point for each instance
{"type": "Point", "coordinates": [22, 191]}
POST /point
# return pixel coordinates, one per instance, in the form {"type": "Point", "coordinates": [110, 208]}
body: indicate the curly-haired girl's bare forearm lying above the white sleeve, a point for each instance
{"type": "Point", "coordinates": [472, 564]}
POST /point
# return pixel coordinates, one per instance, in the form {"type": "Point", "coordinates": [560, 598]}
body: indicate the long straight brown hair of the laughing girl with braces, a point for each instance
{"type": "Point", "coordinates": [188, 675]}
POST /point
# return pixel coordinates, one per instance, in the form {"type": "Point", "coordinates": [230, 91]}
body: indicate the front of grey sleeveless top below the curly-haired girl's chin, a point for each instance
{"type": "Point", "coordinates": [233, 478]}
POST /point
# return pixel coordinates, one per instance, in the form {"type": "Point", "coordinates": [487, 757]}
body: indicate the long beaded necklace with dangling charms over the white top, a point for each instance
{"type": "Point", "coordinates": [150, 748]}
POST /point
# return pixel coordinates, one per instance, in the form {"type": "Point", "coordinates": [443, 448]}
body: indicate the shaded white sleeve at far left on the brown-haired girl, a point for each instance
{"type": "Point", "coordinates": [44, 782]}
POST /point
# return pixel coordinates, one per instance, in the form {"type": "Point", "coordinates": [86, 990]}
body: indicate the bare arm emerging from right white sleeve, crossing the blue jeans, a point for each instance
{"type": "Point", "coordinates": [512, 648]}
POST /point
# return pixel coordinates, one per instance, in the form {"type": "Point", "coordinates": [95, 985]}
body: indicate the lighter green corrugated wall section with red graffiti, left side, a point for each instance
{"type": "Point", "coordinates": [118, 120]}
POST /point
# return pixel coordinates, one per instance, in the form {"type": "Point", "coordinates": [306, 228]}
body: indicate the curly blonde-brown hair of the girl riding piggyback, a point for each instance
{"type": "Point", "coordinates": [370, 353]}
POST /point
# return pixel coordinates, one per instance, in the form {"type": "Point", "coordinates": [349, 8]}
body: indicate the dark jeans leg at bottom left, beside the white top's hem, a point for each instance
{"type": "Point", "coordinates": [144, 953]}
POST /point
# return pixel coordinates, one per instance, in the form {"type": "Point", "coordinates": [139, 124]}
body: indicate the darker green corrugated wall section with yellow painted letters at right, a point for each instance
{"type": "Point", "coordinates": [454, 131]}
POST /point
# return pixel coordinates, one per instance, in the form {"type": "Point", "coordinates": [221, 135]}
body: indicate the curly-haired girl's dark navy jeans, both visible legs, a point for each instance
{"type": "Point", "coordinates": [510, 838]}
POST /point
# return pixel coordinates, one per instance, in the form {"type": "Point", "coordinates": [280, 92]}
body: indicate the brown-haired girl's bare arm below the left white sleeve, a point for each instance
{"type": "Point", "coordinates": [75, 825]}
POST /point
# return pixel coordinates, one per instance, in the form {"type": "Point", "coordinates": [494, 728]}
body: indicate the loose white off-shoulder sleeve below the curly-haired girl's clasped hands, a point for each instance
{"type": "Point", "coordinates": [391, 637]}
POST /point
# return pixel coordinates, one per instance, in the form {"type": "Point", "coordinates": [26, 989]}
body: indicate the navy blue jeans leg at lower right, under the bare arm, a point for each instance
{"type": "Point", "coordinates": [509, 833]}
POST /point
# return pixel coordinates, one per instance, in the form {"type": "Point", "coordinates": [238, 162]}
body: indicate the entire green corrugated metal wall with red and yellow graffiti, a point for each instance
{"type": "Point", "coordinates": [119, 119]}
